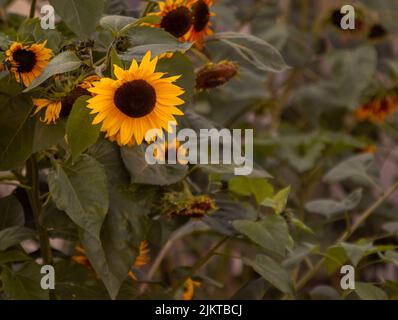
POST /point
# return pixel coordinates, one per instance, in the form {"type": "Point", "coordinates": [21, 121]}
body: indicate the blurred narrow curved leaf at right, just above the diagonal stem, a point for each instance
{"type": "Point", "coordinates": [331, 208]}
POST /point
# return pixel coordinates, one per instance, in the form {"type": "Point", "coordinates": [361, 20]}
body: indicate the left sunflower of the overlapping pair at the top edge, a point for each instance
{"type": "Point", "coordinates": [176, 17]}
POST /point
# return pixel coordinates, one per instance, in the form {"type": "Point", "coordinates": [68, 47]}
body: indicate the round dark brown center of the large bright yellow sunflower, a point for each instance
{"type": "Point", "coordinates": [135, 99]}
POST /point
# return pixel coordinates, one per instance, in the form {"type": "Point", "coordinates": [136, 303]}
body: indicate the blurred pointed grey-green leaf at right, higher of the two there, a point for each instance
{"type": "Point", "coordinates": [355, 168]}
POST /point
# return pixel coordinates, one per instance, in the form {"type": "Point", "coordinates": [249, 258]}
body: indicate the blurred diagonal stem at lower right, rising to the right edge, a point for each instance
{"type": "Point", "coordinates": [347, 234]}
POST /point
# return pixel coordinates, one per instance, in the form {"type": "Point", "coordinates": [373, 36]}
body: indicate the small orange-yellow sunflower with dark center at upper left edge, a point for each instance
{"type": "Point", "coordinates": [28, 61]}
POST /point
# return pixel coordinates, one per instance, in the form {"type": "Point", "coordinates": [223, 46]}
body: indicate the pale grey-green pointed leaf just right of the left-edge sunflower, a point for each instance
{"type": "Point", "coordinates": [64, 62]}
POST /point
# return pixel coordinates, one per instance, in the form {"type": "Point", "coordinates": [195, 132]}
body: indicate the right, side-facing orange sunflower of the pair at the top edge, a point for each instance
{"type": "Point", "coordinates": [201, 22]}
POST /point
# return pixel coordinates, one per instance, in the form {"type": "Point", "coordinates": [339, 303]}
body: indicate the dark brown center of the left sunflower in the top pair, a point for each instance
{"type": "Point", "coordinates": [177, 22]}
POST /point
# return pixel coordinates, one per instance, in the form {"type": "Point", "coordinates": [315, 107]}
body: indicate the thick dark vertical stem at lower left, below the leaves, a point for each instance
{"type": "Point", "coordinates": [32, 172]}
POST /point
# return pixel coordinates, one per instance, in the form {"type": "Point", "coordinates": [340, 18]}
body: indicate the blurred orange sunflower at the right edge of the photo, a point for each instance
{"type": "Point", "coordinates": [377, 110]}
